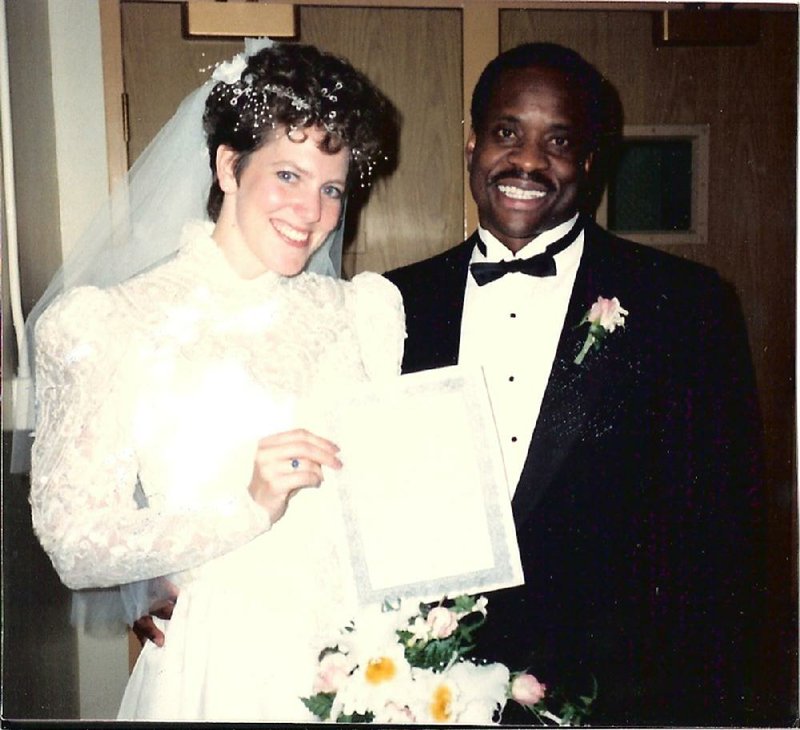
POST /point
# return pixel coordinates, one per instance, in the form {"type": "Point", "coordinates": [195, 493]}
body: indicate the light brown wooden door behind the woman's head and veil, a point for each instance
{"type": "Point", "coordinates": [418, 65]}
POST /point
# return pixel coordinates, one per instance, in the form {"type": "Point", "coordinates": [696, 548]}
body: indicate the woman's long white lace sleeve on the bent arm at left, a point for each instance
{"type": "Point", "coordinates": [84, 468]}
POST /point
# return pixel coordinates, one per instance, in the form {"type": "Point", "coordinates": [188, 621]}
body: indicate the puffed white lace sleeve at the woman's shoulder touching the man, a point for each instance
{"type": "Point", "coordinates": [380, 321]}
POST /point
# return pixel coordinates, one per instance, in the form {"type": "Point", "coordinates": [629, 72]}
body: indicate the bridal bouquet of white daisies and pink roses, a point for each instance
{"type": "Point", "coordinates": [408, 663]}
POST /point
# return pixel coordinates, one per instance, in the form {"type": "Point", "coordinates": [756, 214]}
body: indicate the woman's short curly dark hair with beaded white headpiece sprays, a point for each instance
{"type": "Point", "coordinates": [297, 87]}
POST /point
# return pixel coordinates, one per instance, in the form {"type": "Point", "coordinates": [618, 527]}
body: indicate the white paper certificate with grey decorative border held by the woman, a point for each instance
{"type": "Point", "coordinates": [424, 496]}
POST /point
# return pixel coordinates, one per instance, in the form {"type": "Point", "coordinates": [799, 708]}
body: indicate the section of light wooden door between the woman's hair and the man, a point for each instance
{"type": "Point", "coordinates": [419, 210]}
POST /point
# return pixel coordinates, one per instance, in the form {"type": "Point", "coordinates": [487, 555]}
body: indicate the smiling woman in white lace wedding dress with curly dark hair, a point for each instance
{"type": "Point", "coordinates": [180, 411]}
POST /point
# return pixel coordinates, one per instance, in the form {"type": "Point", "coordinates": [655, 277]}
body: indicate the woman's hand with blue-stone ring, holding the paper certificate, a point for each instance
{"type": "Point", "coordinates": [286, 462]}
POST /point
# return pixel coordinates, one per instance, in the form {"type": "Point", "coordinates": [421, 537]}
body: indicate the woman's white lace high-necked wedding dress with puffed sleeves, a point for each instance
{"type": "Point", "coordinates": [170, 379]}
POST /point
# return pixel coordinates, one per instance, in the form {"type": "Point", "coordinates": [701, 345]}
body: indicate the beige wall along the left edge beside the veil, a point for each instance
{"type": "Point", "coordinates": [60, 172]}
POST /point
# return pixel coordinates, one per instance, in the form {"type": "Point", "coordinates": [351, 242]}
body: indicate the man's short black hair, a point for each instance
{"type": "Point", "coordinates": [596, 93]}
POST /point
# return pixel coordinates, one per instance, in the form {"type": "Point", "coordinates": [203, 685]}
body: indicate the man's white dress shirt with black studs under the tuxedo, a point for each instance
{"type": "Point", "coordinates": [511, 327]}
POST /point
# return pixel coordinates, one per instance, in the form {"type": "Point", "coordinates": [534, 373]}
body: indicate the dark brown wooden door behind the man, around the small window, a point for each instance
{"type": "Point", "coordinates": [747, 96]}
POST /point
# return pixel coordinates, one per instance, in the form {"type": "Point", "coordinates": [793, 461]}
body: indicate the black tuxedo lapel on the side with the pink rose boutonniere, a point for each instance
{"type": "Point", "coordinates": [572, 391]}
